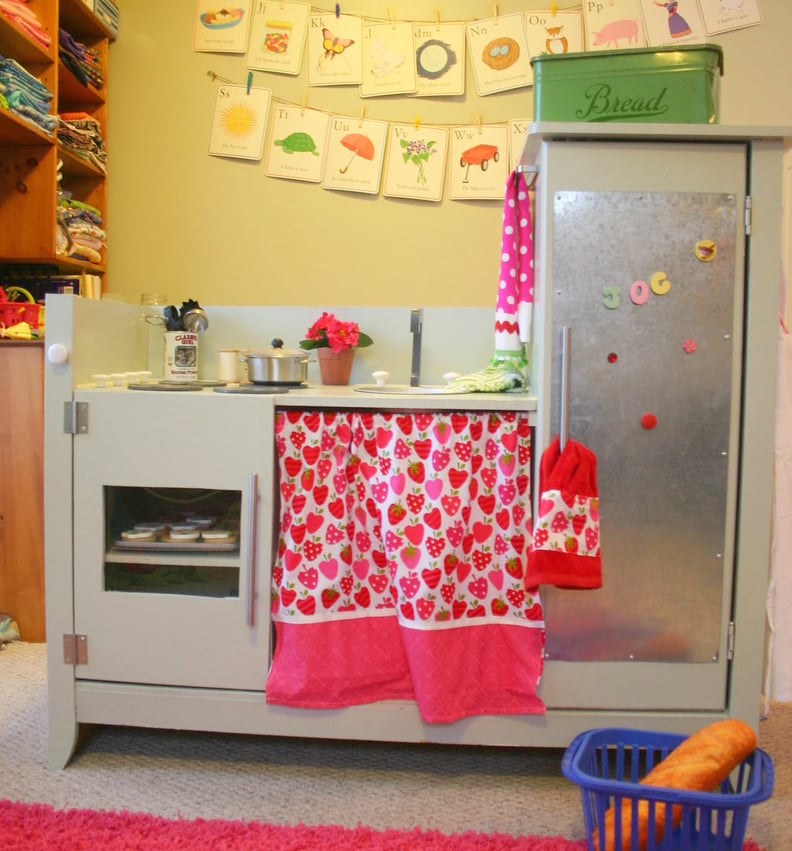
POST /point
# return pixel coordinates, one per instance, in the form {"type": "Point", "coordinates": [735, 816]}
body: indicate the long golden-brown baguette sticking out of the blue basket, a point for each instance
{"type": "Point", "coordinates": [700, 763]}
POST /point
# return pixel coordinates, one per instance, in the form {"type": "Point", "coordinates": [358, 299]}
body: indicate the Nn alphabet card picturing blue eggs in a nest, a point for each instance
{"type": "Point", "coordinates": [499, 54]}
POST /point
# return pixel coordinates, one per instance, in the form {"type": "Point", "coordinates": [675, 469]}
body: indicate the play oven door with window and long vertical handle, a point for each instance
{"type": "Point", "coordinates": [161, 612]}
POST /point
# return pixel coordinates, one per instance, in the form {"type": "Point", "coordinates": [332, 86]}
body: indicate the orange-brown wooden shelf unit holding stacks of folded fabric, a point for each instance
{"type": "Point", "coordinates": [29, 174]}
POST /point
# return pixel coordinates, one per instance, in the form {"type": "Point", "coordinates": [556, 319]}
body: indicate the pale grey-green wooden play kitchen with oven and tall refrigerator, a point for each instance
{"type": "Point", "coordinates": [709, 521]}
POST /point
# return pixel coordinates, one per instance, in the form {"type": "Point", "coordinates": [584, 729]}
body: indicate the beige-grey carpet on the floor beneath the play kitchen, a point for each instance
{"type": "Point", "coordinates": [285, 781]}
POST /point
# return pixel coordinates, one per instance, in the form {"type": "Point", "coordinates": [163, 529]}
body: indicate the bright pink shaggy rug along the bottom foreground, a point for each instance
{"type": "Point", "coordinates": [40, 827]}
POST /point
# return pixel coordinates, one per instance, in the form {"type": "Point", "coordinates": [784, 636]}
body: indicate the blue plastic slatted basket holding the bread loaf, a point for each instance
{"type": "Point", "coordinates": [608, 763]}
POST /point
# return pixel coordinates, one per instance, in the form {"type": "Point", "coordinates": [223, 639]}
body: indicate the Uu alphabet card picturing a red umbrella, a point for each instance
{"type": "Point", "coordinates": [355, 153]}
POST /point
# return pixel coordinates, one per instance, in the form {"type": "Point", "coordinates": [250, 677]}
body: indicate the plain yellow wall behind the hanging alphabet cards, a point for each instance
{"type": "Point", "coordinates": [191, 225]}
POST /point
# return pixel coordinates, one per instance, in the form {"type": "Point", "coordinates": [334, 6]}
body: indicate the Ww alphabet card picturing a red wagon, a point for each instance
{"type": "Point", "coordinates": [479, 162]}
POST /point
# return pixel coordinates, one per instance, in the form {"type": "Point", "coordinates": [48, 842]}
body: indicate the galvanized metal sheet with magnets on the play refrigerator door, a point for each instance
{"type": "Point", "coordinates": [651, 333]}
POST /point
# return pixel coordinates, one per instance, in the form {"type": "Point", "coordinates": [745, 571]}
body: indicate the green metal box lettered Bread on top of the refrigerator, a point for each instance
{"type": "Point", "coordinates": [674, 85]}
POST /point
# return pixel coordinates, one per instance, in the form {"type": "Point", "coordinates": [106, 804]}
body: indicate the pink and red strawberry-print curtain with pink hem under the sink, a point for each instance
{"type": "Point", "coordinates": [401, 561]}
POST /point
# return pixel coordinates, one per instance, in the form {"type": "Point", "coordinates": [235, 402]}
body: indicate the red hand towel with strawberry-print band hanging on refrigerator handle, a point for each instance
{"type": "Point", "coordinates": [566, 547]}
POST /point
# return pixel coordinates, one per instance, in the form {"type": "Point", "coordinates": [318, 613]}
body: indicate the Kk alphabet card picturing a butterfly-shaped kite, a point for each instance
{"type": "Point", "coordinates": [334, 50]}
